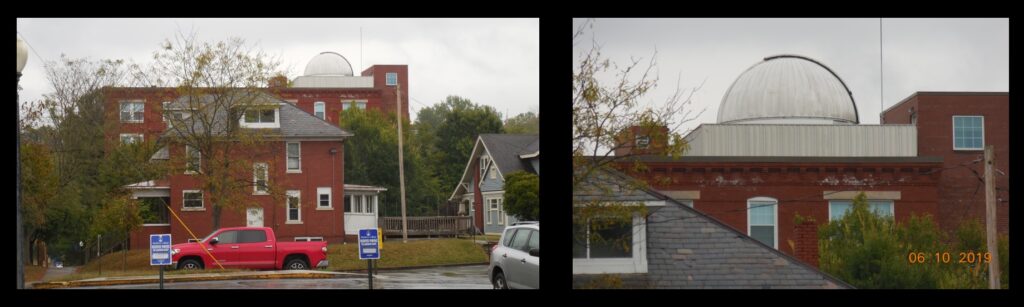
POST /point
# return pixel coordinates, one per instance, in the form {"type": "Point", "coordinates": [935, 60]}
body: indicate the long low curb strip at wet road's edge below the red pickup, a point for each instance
{"type": "Point", "coordinates": [101, 282]}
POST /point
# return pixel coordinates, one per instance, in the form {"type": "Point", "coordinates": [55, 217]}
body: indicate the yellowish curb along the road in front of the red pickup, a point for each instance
{"type": "Point", "coordinates": [185, 279]}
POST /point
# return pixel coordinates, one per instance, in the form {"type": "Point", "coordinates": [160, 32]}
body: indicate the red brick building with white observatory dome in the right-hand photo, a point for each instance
{"type": "Point", "coordinates": [789, 142]}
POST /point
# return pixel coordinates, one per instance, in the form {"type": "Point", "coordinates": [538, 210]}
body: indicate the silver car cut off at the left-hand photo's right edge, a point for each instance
{"type": "Point", "coordinates": [516, 260]}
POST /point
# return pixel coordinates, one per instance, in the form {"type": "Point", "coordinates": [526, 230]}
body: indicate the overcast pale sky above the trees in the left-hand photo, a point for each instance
{"type": "Point", "coordinates": [490, 62]}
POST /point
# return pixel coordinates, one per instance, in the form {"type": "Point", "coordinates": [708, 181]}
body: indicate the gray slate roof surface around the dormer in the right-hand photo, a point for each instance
{"type": "Point", "coordinates": [688, 249]}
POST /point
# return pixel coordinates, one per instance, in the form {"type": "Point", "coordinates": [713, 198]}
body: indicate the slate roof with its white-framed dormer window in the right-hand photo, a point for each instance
{"type": "Point", "coordinates": [676, 247]}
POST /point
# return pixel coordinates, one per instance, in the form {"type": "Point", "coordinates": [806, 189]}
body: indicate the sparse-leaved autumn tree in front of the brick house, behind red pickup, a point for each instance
{"type": "Point", "coordinates": [217, 83]}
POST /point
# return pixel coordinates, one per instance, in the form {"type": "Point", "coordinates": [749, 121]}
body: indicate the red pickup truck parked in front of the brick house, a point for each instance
{"type": "Point", "coordinates": [253, 248]}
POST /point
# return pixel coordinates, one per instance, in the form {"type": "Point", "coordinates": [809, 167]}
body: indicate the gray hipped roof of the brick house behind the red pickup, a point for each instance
{"type": "Point", "coordinates": [294, 122]}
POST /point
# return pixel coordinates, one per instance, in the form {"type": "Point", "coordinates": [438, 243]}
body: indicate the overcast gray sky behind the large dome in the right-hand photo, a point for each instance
{"type": "Point", "coordinates": [919, 55]}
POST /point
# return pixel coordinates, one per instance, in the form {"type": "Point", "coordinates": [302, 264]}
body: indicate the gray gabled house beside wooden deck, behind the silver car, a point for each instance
{"type": "Point", "coordinates": [481, 193]}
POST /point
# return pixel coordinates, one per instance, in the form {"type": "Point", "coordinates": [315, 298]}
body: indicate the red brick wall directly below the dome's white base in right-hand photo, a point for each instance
{"type": "Point", "coordinates": [799, 188]}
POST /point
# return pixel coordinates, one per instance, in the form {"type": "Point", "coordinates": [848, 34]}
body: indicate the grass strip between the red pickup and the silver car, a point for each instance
{"type": "Point", "coordinates": [415, 253]}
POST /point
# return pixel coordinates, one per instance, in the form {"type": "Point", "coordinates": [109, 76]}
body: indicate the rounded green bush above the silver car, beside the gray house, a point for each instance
{"type": "Point", "coordinates": [522, 196]}
